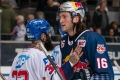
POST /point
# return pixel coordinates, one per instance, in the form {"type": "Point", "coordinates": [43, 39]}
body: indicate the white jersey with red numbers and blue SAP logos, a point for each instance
{"type": "Point", "coordinates": [32, 64]}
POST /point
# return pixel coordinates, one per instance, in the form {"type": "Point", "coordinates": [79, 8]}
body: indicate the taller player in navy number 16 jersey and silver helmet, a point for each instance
{"type": "Point", "coordinates": [95, 63]}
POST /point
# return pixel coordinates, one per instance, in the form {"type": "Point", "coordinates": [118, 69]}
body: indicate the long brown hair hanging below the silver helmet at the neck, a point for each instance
{"type": "Point", "coordinates": [80, 26]}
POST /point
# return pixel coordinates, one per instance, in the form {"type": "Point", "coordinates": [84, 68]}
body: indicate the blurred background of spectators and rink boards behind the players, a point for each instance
{"type": "Point", "coordinates": [101, 16]}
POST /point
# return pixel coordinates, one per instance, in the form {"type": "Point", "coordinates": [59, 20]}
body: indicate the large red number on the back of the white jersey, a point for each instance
{"type": "Point", "coordinates": [19, 74]}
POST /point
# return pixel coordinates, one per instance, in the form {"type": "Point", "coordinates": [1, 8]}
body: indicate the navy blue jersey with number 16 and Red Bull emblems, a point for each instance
{"type": "Point", "coordinates": [95, 56]}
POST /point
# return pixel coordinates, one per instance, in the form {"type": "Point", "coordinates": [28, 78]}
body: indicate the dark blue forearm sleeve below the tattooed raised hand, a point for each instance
{"type": "Point", "coordinates": [68, 71]}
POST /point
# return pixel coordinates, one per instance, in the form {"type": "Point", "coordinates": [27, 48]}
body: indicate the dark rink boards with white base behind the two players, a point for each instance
{"type": "Point", "coordinates": [10, 49]}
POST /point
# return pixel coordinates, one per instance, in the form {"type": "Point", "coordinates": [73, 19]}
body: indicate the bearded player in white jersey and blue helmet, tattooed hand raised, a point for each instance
{"type": "Point", "coordinates": [32, 64]}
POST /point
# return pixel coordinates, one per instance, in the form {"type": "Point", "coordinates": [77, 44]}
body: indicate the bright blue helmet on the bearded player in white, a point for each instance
{"type": "Point", "coordinates": [36, 27]}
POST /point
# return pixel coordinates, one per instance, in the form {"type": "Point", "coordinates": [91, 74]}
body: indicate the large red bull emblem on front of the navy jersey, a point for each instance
{"type": "Point", "coordinates": [81, 65]}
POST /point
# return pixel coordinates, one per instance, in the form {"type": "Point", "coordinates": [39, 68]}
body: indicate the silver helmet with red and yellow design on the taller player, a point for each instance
{"type": "Point", "coordinates": [73, 8]}
